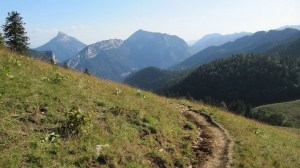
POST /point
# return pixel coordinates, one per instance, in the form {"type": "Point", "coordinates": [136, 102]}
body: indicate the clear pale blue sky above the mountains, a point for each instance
{"type": "Point", "coordinates": [91, 21]}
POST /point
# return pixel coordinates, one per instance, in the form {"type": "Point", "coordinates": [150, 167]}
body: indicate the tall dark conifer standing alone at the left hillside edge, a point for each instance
{"type": "Point", "coordinates": [14, 33]}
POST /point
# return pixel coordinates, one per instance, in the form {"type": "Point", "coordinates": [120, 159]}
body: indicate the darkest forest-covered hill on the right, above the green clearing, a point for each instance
{"type": "Point", "coordinates": [244, 81]}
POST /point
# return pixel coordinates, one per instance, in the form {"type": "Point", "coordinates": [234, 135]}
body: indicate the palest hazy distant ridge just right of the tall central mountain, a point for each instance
{"type": "Point", "coordinates": [215, 40]}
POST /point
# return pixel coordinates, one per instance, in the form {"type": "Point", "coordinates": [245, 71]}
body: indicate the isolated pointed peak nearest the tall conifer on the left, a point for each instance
{"type": "Point", "coordinates": [63, 46]}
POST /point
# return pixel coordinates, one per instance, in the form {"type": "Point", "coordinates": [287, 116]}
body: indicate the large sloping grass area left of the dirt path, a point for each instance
{"type": "Point", "coordinates": [54, 117]}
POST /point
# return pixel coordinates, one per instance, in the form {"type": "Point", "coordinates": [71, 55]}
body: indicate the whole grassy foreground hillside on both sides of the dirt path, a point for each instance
{"type": "Point", "coordinates": [119, 116]}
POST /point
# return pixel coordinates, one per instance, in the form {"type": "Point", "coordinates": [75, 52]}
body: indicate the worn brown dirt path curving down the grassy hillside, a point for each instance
{"type": "Point", "coordinates": [213, 146]}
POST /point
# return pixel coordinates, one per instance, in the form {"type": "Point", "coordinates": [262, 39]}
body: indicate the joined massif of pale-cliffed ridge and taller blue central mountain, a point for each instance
{"type": "Point", "coordinates": [115, 59]}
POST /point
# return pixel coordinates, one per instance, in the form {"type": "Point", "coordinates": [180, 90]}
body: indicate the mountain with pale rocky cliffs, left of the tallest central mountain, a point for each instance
{"type": "Point", "coordinates": [104, 59]}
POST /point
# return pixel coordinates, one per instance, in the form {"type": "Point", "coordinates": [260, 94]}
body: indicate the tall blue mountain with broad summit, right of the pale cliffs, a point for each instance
{"type": "Point", "coordinates": [156, 49]}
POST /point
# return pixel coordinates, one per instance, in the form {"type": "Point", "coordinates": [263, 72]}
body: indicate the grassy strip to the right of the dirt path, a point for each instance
{"type": "Point", "coordinates": [257, 144]}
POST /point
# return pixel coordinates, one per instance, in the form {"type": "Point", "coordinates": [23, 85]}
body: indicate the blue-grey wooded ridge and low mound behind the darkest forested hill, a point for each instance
{"type": "Point", "coordinates": [278, 42]}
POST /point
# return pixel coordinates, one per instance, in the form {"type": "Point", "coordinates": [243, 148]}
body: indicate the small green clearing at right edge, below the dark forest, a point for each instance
{"type": "Point", "coordinates": [290, 109]}
